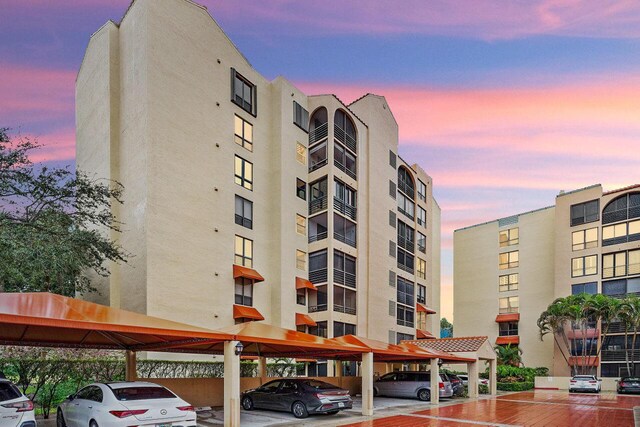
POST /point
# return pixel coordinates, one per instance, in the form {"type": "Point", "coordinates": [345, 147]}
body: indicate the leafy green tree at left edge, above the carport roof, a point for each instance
{"type": "Point", "coordinates": [55, 224]}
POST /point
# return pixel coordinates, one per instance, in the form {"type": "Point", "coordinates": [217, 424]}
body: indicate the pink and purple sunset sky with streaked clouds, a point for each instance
{"type": "Point", "coordinates": [504, 103]}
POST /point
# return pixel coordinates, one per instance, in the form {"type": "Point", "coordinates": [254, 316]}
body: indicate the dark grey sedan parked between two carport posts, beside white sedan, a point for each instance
{"type": "Point", "coordinates": [300, 396]}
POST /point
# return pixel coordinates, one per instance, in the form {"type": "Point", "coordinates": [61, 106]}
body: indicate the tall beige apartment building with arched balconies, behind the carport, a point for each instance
{"type": "Point", "coordinates": [246, 199]}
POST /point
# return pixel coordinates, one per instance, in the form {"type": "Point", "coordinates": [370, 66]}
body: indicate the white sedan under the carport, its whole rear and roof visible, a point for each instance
{"type": "Point", "coordinates": [125, 404]}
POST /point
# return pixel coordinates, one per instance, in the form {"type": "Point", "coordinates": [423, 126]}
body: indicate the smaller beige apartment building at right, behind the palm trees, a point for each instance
{"type": "Point", "coordinates": [506, 272]}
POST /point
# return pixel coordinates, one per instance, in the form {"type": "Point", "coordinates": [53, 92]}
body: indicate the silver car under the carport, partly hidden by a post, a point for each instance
{"type": "Point", "coordinates": [410, 384]}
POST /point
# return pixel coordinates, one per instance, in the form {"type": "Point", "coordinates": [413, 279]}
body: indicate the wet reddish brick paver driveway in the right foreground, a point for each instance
{"type": "Point", "coordinates": [535, 408]}
